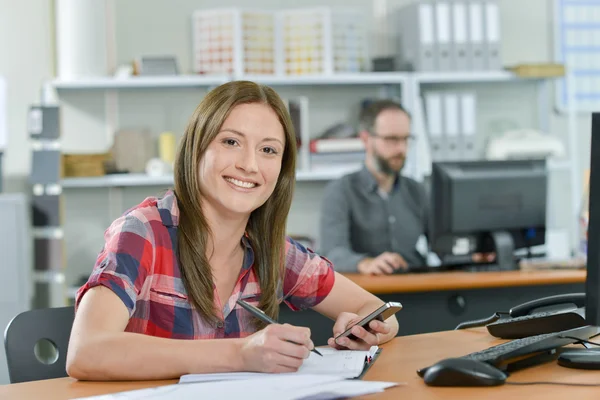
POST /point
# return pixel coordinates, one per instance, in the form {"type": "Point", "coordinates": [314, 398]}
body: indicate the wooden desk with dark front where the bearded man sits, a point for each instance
{"type": "Point", "coordinates": [448, 298]}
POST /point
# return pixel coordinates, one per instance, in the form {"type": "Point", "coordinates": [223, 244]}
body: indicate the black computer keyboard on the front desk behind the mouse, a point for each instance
{"type": "Point", "coordinates": [518, 349]}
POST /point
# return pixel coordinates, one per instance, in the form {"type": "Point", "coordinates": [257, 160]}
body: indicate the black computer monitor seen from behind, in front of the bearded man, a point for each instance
{"type": "Point", "coordinates": [487, 206]}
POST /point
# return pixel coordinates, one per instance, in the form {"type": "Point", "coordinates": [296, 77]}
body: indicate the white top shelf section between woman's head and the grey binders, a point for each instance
{"type": "Point", "coordinates": [363, 78]}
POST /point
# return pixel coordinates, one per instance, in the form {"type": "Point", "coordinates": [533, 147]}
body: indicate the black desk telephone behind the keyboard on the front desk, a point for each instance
{"type": "Point", "coordinates": [545, 315]}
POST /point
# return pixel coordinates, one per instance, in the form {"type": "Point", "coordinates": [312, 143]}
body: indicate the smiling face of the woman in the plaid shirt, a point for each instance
{"type": "Point", "coordinates": [240, 167]}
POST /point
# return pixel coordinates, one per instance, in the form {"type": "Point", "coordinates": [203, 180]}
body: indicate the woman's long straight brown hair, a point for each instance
{"type": "Point", "coordinates": [267, 225]}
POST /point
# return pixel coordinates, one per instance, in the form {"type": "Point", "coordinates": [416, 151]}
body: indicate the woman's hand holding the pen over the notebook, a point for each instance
{"type": "Point", "coordinates": [276, 348]}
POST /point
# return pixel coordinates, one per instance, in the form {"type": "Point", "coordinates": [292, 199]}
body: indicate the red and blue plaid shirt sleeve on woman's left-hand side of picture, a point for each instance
{"type": "Point", "coordinates": [124, 262]}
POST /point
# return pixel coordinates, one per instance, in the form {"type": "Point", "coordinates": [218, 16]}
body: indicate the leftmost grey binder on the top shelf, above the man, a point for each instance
{"type": "Point", "coordinates": [416, 36]}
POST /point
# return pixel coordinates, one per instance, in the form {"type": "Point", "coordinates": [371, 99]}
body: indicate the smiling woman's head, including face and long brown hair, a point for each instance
{"type": "Point", "coordinates": [223, 152]}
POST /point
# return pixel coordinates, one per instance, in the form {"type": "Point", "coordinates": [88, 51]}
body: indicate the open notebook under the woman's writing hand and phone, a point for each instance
{"type": "Point", "coordinates": [347, 364]}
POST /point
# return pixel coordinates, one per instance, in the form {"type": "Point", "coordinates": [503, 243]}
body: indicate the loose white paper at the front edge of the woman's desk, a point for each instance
{"type": "Point", "coordinates": [280, 387]}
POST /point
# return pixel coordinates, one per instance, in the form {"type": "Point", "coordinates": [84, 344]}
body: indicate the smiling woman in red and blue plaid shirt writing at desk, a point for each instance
{"type": "Point", "coordinates": [174, 267]}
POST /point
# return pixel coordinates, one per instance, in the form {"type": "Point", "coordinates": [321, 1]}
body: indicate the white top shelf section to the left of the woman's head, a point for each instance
{"type": "Point", "coordinates": [179, 81]}
